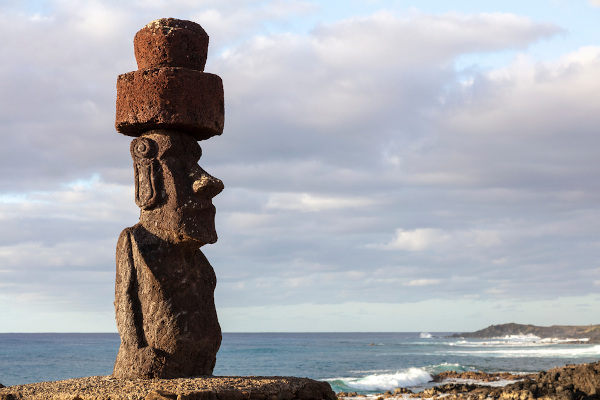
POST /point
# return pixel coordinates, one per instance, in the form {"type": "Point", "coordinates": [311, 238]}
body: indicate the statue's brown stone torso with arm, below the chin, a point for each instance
{"type": "Point", "coordinates": [169, 291]}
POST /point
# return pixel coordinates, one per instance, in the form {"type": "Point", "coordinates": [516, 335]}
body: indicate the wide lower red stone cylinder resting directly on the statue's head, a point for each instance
{"type": "Point", "coordinates": [182, 99]}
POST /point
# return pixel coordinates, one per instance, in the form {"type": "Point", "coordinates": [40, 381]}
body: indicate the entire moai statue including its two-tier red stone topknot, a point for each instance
{"type": "Point", "coordinates": [164, 291]}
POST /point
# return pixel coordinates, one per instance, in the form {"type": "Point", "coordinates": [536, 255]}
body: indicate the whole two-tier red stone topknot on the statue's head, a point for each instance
{"type": "Point", "coordinates": [170, 89]}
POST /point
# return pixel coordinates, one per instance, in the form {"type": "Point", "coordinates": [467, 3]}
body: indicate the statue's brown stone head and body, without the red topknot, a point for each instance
{"type": "Point", "coordinates": [164, 290]}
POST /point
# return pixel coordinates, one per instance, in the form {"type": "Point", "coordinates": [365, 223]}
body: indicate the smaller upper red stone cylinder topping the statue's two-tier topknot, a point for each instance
{"type": "Point", "coordinates": [169, 42]}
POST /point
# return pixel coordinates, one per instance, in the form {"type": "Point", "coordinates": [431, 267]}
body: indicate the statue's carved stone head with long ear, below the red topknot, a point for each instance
{"type": "Point", "coordinates": [173, 191]}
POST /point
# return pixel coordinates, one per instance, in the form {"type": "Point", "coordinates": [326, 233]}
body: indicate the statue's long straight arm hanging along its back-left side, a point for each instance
{"type": "Point", "coordinates": [127, 303]}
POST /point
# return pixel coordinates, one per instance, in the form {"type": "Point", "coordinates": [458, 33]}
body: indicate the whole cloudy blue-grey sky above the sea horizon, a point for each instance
{"type": "Point", "coordinates": [388, 165]}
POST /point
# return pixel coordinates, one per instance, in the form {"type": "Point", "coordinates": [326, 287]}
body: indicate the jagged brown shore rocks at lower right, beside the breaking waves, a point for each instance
{"type": "Point", "coordinates": [572, 382]}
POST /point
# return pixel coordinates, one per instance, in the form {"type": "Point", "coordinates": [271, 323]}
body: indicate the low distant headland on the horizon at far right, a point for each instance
{"type": "Point", "coordinates": [583, 333]}
